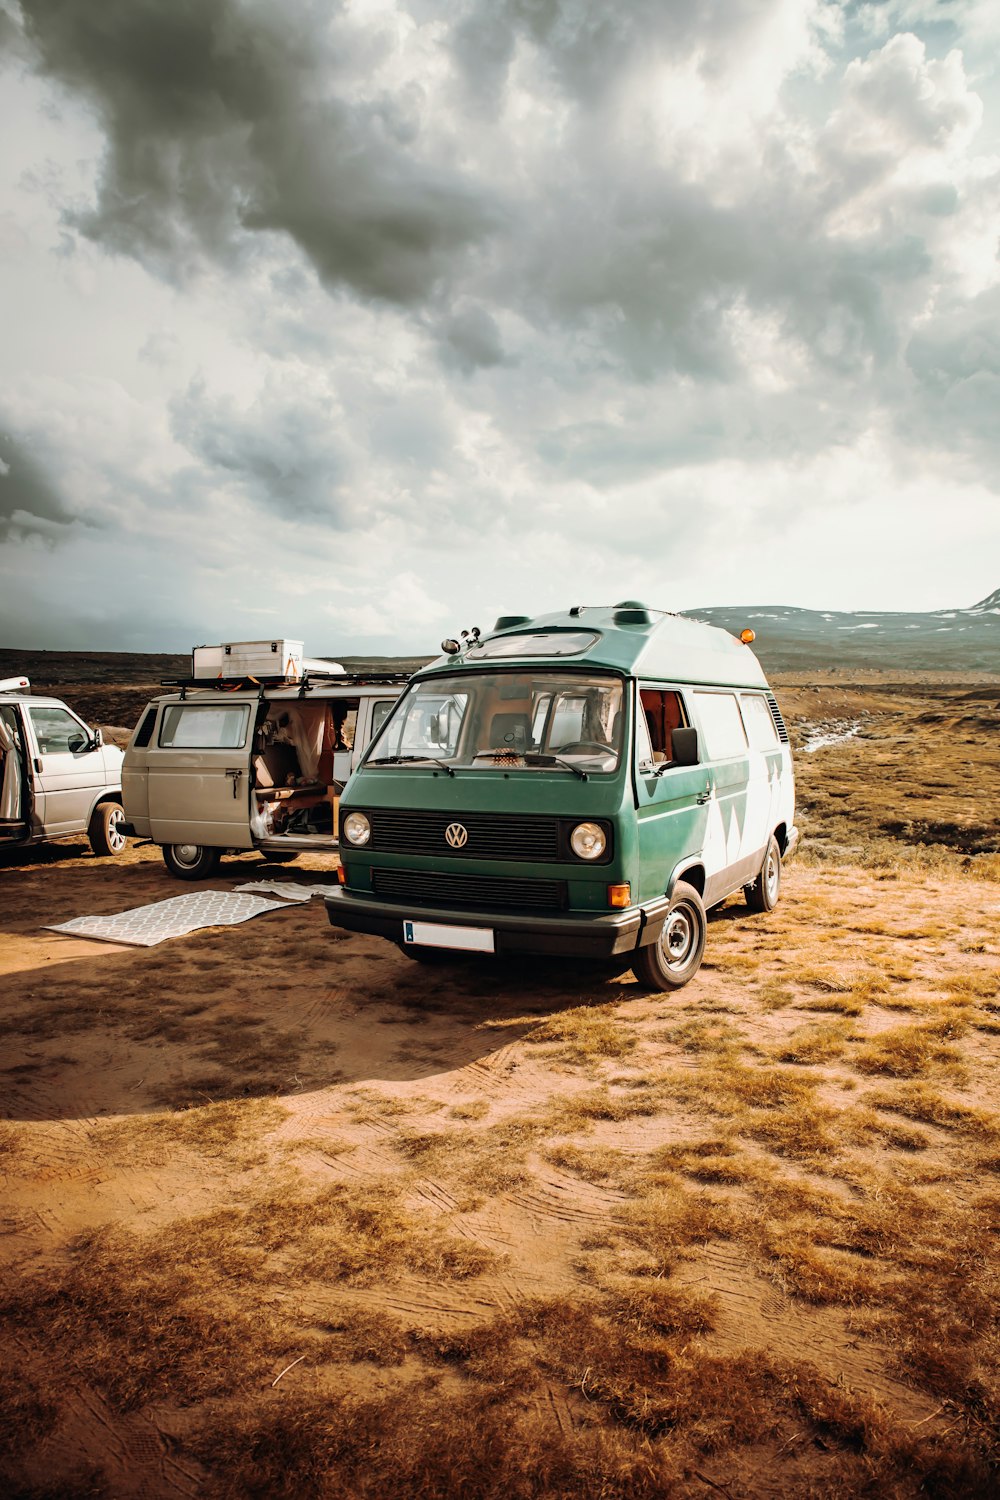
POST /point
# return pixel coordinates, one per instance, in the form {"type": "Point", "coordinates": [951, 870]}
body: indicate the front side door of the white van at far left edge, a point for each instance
{"type": "Point", "coordinates": [67, 769]}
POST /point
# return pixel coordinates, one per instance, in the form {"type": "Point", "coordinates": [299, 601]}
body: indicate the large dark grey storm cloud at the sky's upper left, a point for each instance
{"type": "Point", "coordinates": [221, 121]}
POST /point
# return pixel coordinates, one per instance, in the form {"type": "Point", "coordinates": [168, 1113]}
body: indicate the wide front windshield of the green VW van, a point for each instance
{"type": "Point", "coordinates": [512, 721]}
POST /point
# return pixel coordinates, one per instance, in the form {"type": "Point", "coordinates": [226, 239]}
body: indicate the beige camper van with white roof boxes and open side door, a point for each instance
{"type": "Point", "coordinates": [251, 754]}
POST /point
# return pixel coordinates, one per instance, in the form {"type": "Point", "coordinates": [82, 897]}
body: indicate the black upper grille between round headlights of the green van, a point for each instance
{"type": "Point", "coordinates": [491, 838]}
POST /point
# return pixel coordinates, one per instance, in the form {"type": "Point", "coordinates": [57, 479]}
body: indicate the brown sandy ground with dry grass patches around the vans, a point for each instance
{"type": "Point", "coordinates": [286, 1214]}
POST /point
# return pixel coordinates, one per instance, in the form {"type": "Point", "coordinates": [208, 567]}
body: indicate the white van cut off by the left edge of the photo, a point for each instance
{"type": "Point", "coordinates": [58, 776]}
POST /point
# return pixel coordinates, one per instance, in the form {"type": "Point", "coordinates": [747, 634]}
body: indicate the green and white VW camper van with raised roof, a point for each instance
{"type": "Point", "coordinates": [584, 784]}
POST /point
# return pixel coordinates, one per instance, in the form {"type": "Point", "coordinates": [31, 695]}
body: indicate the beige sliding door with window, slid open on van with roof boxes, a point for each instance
{"type": "Point", "coordinates": [199, 770]}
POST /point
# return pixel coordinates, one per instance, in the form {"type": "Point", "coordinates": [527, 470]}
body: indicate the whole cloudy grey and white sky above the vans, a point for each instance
{"type": "Point", "coordinates": [361, 323]}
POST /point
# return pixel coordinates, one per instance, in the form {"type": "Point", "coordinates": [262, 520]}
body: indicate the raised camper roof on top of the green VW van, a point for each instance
{"type": "Point", "coordinates": [630, 638]}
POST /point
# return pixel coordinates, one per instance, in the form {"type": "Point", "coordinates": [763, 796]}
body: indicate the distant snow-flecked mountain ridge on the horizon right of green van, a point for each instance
{"type": "Point", "coordinates": [941, 640]}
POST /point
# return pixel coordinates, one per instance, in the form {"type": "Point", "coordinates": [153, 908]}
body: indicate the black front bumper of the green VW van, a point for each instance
{"type": "Point", "coordinates": [584, 935]}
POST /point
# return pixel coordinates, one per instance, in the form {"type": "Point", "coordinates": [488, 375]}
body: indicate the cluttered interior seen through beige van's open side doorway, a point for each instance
{"type": "Point", "coordinates": [302, 760]}
